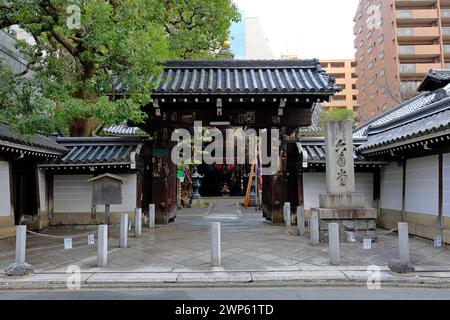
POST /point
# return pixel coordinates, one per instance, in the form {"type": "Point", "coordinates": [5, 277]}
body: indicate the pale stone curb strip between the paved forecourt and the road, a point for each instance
{"type": "Point", "coordinates": [58, 281]}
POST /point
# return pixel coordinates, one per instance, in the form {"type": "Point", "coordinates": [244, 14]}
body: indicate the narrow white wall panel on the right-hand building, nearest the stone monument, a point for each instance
{"type": "Point", "coordinates": [391, 187]}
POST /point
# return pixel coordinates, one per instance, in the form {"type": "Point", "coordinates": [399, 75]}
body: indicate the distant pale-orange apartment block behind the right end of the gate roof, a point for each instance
{"type": "Point", "coordinates": [345, 73]}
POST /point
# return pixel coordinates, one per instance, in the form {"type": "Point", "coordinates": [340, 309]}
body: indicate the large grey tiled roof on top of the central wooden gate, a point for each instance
{"type": "Point", "coordinates": [245, 77]}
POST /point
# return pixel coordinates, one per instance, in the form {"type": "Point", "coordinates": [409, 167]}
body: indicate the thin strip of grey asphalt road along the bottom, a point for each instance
{"type": "Point", "coordinates": [234, 294]}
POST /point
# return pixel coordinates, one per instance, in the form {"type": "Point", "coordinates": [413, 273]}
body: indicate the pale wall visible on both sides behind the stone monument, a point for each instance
{"type": "Point", "coordinates": [314, 184]}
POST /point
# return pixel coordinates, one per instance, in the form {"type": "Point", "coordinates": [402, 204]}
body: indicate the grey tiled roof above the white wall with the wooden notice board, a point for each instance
{"type": "Point", "coordinates": [97, 151]}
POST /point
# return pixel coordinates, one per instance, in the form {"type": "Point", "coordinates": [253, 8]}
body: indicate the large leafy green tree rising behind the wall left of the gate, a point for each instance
{"type": "Point", "coordinates": [87, 49]}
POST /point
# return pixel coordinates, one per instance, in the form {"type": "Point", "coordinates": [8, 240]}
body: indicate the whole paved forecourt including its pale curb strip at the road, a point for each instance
{"type": "Point", "coordinates": [253, 251]}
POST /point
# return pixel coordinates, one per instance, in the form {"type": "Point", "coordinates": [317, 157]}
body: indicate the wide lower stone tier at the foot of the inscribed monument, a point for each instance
{"type": "Point", "coordinates": [362, 222]}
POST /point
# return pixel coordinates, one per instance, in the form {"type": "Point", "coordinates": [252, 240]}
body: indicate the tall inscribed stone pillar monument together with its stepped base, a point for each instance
{"type": "Point", "coordinates": [341, 204]}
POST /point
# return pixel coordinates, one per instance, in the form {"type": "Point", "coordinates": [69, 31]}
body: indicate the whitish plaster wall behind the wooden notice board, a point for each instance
{"type": "Point", "coordinates": [73, 194]}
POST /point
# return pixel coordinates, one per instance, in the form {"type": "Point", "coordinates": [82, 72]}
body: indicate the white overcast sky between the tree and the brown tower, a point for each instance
{"type": "Point", "coordinates": [320, 29]}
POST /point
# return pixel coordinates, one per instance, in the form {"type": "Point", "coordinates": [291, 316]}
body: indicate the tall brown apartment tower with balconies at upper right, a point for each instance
{"type": "Point", "coordinates": [397, 43]}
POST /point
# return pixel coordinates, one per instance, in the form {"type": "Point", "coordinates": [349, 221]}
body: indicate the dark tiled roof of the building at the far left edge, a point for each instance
{"type": "Point", "coordinates": [39, 143]}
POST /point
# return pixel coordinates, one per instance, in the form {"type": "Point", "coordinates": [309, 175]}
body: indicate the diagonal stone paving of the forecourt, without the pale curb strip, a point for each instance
{"type": "Point", "coordinates": [249, 243]}
